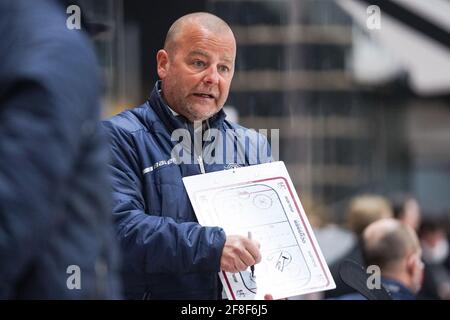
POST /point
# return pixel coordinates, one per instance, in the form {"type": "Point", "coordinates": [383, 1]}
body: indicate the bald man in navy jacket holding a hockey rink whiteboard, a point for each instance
{"type": "Point", "coordinates": [166, 253]}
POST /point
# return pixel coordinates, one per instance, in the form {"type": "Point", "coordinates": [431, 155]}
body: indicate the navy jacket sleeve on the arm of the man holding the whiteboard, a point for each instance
{"type": "Point", "coordinates": [151, 243]}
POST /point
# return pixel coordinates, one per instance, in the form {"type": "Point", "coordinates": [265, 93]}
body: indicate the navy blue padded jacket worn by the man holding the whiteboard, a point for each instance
{"type": "Point", "coordinates": [166, 253]}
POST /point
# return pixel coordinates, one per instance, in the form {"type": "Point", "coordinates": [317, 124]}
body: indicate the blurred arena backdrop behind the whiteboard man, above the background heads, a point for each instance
{"type": "Point", "coordinates": [362, 101]}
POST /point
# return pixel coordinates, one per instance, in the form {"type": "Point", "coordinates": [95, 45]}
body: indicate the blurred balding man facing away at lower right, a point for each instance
{"type": "Point", "coordinates": [394, 247]}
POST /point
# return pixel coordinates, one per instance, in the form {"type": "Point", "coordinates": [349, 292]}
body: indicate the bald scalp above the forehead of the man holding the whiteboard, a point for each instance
{"type": "Point", "coordinates": [195, 21]}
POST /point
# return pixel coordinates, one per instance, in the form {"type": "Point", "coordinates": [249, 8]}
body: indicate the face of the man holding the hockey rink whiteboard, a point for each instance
{"type": "Point", "coordinates": [196, 74]}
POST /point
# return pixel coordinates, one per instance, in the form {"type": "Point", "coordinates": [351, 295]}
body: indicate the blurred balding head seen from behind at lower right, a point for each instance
{"type": "Point", "coordinates": [387, 242]}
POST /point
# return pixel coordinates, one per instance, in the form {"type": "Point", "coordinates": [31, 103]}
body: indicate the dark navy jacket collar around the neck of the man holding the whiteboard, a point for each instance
{"type": "Point", "coordinates": [173, 121]}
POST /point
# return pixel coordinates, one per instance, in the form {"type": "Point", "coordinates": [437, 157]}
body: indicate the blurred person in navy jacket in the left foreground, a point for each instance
{"type": "Point", "coordinates": [55, 231]}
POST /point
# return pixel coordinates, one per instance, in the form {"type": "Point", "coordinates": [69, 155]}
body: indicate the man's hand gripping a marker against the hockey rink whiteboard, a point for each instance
{"type": "Point", "coordinates": [239, 253]}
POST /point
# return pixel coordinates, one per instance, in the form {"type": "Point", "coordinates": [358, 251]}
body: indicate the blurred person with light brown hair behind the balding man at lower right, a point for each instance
{"type": "Point", "coordinates": [362, 211]}
